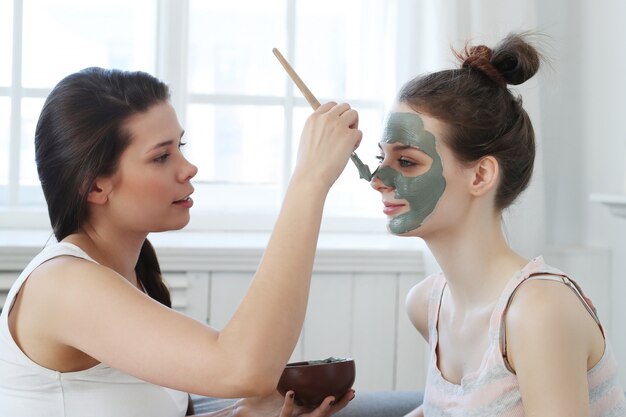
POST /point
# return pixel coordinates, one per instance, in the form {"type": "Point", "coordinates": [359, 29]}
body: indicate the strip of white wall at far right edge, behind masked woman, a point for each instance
{"type": "Point", "coordinates": [603, 104]}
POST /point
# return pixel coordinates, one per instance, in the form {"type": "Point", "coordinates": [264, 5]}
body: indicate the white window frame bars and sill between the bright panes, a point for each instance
{"type": "Point", "coordinates": [171, 66]}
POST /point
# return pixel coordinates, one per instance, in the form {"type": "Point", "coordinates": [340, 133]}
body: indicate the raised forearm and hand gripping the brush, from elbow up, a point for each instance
{"type": "Point", "coordinates": [276, 301]}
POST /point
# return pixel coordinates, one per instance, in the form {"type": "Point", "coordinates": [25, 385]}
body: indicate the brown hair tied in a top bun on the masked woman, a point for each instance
{"type": "Point", "coordinates": [483, 116]}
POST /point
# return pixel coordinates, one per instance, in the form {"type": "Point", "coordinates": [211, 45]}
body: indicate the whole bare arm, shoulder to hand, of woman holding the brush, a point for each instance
{"type": "Point", "coordinates": [98, 312]}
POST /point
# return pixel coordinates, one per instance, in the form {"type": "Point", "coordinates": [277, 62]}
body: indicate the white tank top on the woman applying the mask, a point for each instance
{"type": "Point", "coordinates": [30, 390]}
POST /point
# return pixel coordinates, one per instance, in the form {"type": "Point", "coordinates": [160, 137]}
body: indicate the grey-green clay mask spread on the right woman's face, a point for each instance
{"type": "Point", "coordinates": [422, 192]}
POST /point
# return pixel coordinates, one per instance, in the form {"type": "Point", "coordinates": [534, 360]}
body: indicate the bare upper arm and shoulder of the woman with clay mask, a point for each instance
{"type": "Point", "coordinates": [552, 342]}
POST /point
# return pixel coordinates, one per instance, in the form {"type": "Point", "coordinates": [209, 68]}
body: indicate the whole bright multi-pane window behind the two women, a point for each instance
{"type": "Point", "coordinates": [241, 113]}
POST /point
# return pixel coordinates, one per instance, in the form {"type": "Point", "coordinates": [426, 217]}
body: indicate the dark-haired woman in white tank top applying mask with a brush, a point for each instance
{"type": "Point", "coordinates": [87, 329]}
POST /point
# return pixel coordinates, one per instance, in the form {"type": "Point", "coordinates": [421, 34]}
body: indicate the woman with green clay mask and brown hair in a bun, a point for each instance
{"type": "Point", "coordinates": [508, 336]}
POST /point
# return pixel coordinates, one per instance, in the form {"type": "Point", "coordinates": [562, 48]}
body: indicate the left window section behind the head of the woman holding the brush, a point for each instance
{"type": "Point", "coordinates": [48, 41]}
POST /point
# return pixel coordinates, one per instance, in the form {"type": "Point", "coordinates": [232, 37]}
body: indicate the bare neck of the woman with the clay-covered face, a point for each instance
{"type": "Point", "coordinates": [476, 260]}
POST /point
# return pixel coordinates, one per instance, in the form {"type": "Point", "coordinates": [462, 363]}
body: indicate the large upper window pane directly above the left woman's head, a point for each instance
{"type": "Point", "coordinates": [64, 36]}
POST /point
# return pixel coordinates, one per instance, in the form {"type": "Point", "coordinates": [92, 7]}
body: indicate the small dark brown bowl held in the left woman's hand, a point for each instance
{"type": "Point", "coordinates": [312, 381]}
